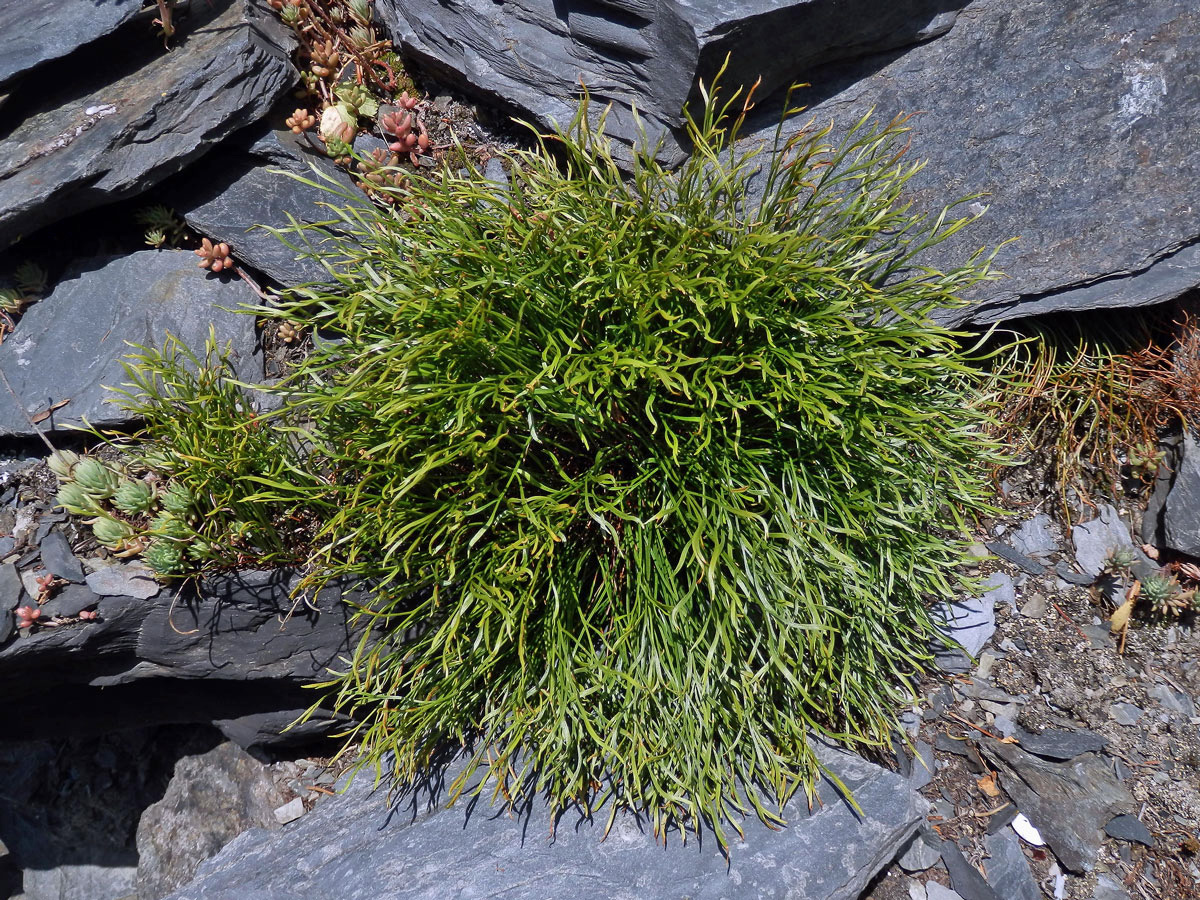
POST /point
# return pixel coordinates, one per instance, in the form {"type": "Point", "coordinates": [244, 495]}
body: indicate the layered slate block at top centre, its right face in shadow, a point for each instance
{"type": "Point", "coordinates": [533, 55]}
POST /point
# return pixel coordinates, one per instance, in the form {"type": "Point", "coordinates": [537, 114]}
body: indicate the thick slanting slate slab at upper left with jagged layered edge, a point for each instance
{"type": "Point", "coordinates": [112, 140]}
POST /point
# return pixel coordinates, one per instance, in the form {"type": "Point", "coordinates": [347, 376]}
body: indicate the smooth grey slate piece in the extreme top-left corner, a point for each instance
{"type": "Point", "coordinates": [33, 32]}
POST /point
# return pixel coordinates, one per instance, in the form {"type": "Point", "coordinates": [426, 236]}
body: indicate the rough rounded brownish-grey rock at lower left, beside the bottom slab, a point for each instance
{"type": "Point", "coordinates": [212, 799]}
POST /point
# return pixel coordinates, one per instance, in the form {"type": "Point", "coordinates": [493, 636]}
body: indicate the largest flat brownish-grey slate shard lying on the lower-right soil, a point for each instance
{"type": "Point", "coordinates": [1067, 802]}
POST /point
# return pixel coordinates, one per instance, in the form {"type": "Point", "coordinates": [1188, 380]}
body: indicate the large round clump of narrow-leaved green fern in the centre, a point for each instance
{"type": "Point", "coordinates": [656, 481]}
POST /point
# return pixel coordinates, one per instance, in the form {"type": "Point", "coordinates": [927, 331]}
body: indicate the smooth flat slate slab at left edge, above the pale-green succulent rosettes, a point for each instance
{"type": "Point", "coordinates": [69, 346]}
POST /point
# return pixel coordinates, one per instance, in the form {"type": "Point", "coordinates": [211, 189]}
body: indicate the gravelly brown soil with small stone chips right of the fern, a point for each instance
{"type": "Point", "coordinates": [1055, 657]}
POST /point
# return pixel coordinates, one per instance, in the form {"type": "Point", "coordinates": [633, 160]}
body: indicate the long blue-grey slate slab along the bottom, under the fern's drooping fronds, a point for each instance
{"type": "Point", "coordinates": [353, 848]}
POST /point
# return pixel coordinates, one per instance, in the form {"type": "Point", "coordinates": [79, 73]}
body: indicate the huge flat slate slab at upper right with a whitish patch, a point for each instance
{"type": "Point", "coordinates": [1079, 128]}
